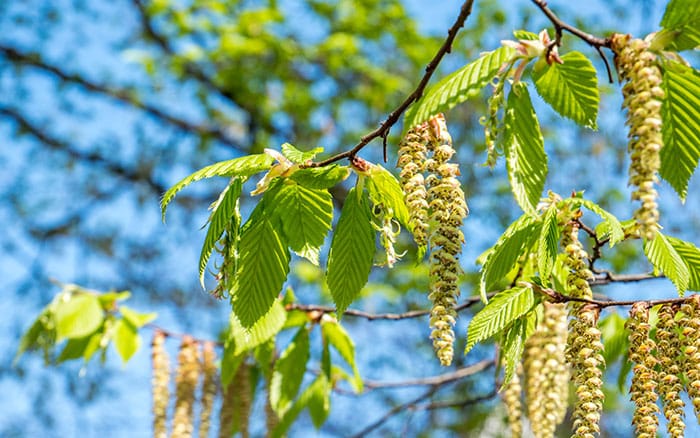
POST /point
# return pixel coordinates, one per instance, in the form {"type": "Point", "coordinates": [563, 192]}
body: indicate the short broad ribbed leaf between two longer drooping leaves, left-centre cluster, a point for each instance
{"type": "Point", "coordinates": [305, 216]}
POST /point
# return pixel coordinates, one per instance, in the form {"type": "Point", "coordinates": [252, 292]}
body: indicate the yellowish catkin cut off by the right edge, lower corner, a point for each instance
{"type": "Point", "coordinates": [691, 350]}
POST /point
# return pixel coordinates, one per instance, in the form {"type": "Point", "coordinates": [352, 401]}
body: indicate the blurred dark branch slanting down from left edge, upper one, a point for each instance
{"type": "Point", "coordinates": [121, 95]}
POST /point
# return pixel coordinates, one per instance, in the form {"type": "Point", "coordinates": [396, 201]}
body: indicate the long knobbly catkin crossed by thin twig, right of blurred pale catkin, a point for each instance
{"type": "Point", "coordinates": [584, 346]}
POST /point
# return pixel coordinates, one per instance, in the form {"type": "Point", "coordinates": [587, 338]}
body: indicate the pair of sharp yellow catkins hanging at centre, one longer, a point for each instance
{"type": "Point", "coordinates": [437, 210]}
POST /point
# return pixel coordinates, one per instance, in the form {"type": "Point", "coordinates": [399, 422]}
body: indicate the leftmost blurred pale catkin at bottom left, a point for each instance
{"type": "Point", "coordinates": [160, 384]}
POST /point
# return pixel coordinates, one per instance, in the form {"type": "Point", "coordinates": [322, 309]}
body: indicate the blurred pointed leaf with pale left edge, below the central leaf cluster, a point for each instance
{"type": "Point", "coordinates": [288, 372]}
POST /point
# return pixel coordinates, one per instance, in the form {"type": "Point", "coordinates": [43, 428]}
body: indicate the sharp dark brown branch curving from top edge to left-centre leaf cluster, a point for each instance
{"type": "Point", "coordinates": [383, 129]}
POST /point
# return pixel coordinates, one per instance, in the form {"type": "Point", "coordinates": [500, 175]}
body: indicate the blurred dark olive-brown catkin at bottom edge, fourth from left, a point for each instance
{"type": "Point", "coordinates": [236, 404]}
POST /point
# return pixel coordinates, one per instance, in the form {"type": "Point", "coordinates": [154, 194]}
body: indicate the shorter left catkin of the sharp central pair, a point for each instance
{"type": "Point", "coordinates": [412, 155]}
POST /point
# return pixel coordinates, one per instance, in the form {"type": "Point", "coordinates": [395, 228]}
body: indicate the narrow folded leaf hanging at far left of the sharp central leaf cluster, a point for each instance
{"type": "Point", "coordinates": [224, 214]}
